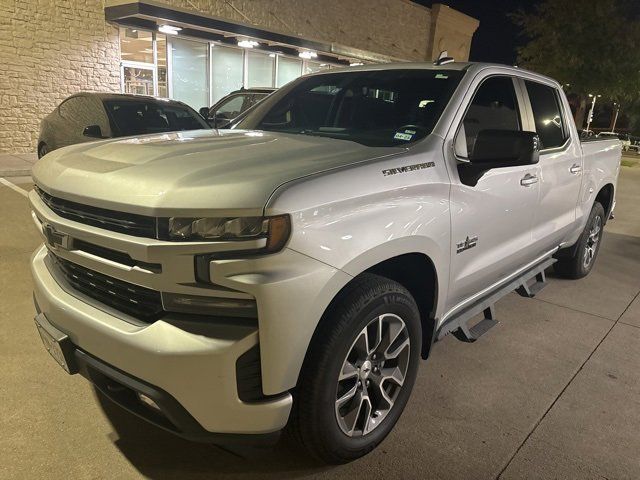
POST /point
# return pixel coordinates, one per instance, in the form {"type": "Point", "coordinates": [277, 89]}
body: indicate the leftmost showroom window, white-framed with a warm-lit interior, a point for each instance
{"type": "Point", "coordinates": [138, 73]}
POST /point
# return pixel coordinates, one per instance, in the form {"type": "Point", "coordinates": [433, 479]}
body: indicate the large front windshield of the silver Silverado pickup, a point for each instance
{"type": "Point", "coordinates": [375, 108]}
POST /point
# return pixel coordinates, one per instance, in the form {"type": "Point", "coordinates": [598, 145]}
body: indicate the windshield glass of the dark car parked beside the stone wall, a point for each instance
{"type": "Point", "coordinates": [140, 117]}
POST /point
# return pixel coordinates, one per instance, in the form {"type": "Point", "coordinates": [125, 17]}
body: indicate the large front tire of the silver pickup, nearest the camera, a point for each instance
{"type": "Point", "coordinates": [314, 422]}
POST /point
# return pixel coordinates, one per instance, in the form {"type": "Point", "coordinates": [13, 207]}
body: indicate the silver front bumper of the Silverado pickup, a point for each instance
{"type": "Point", "coordinates": [194, 363]}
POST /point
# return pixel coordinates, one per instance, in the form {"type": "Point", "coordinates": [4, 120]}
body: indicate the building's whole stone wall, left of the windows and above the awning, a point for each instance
{"type": "Point", "coordinates": [50, 49]}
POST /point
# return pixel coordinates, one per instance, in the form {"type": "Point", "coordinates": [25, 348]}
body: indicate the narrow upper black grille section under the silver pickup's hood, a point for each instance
{"type": "Point", "coordinates": [129, 223]}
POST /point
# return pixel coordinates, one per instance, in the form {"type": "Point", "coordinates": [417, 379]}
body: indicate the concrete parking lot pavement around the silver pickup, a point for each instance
{"type": "Point", "coordinates": [551, 392]}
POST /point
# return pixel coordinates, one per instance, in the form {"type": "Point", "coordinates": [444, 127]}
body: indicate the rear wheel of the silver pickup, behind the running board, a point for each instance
{"type": "Point", "coordinates": [572, 262]}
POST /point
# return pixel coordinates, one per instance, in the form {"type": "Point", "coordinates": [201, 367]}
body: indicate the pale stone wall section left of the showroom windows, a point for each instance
{"type": "Point", "coordinates": [49, 50]}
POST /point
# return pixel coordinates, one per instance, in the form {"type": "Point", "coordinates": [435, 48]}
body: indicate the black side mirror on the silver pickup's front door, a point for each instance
{"type": "Point", "coordinates": [499, 149]}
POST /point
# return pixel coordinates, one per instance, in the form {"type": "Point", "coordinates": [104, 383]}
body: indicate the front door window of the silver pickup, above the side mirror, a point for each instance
{"type": "Point", "coordinates": [494, 107]}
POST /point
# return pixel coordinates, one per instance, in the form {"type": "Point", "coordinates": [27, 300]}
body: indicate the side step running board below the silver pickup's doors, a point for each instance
{"type": "Point", "coordinates": [523, 284]}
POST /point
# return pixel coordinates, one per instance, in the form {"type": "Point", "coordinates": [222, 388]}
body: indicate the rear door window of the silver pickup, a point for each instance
{"type": "Point", "coordinates": [547, 114]}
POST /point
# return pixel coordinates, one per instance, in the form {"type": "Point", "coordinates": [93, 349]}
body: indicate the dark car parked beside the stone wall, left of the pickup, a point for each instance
{"type": "Point", "coordinates": [86, 117]}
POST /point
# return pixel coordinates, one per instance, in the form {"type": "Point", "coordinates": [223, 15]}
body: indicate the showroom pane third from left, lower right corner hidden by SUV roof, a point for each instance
{"type": "Point", "coordinates": [227, 70]}
